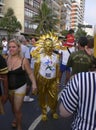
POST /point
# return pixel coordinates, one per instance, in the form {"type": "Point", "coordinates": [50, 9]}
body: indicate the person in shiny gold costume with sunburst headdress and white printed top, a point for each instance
{"type": "Point", "coordinates": [46, 71]}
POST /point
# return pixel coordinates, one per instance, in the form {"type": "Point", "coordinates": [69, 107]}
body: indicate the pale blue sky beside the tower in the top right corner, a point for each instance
{"type": "Point", "coordinates": [90, 12]}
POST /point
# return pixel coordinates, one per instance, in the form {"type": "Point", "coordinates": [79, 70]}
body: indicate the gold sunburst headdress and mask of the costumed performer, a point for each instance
{"type": "Point", "coordinates": [47, 43]}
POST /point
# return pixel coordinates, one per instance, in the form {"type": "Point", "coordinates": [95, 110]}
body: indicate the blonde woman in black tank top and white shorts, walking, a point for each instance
{"type": "Point", "coordinates": [17, 66]}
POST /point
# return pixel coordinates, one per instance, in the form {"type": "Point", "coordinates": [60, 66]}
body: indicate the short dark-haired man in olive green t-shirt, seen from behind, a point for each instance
{"type": "Point", "coordinates": [80, 61]}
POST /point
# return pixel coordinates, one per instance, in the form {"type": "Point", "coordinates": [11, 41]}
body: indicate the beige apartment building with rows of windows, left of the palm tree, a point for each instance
{"type": "Point", "coordinates": [24, 10]}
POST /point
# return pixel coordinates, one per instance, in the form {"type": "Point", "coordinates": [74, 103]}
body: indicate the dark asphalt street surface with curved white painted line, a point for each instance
{"type": "Point", "coordinates": [31, 119]}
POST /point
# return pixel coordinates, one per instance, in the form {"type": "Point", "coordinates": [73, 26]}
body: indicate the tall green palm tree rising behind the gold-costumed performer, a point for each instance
{"type": "Point", "coordinates": [46, 20]}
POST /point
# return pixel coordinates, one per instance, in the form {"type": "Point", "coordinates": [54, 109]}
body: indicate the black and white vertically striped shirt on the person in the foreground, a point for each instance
{"type": "Point", "coordinates": [79, 96]}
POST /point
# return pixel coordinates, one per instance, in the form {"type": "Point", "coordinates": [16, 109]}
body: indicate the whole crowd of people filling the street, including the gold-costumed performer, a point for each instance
{"type": "Point", "coordinates": [36, 66]}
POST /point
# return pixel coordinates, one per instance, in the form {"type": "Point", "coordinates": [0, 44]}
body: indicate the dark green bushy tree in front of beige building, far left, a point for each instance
{"type": "Point", "coordinates": [10, 23]}
